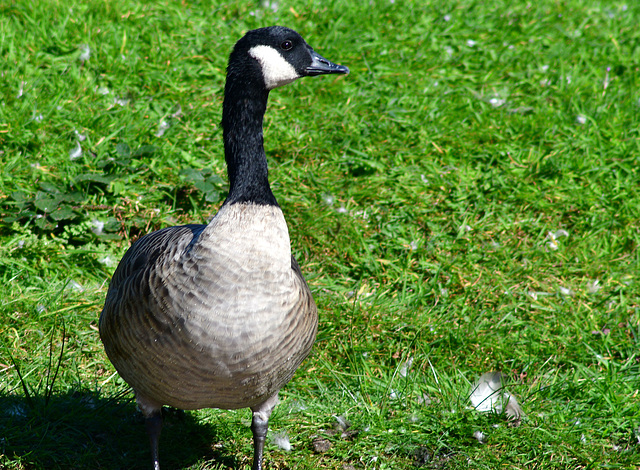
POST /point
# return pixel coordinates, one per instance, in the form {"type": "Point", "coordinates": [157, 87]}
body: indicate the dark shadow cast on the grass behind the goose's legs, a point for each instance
{"type": "Point", "coordinates": [81, 430]}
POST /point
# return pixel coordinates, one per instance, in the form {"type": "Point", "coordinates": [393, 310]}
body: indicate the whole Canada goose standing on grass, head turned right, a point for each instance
{"type": "Point", "coordinates": [219, 315]}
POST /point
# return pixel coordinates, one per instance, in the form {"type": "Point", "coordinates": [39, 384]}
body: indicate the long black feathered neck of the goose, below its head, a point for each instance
{"type": "Point", "coordinates": [242, 113]}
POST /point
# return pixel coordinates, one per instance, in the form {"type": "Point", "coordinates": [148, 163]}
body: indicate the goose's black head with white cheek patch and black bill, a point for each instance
{"type": "Point", "coordinates": [276, 56]}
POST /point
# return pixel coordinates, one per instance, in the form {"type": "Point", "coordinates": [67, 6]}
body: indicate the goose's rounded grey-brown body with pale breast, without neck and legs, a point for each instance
{"type": "Point", "coordinates": [210, 316]}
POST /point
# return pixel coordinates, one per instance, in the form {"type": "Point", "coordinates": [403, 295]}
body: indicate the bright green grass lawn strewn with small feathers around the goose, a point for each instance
{"type": "Point", "coordinates": [420, 191]}
